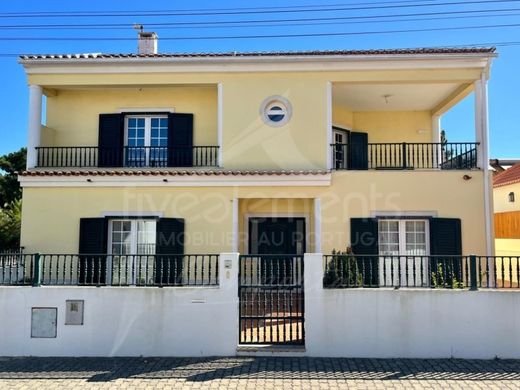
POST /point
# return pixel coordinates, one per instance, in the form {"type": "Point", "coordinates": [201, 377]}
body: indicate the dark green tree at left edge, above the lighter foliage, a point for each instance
{"type": "Point", "coordinates": [10, 164]}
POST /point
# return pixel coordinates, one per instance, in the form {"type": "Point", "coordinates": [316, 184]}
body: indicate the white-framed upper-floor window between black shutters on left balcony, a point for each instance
{"type": "Point", "coordinates": [146, 140]}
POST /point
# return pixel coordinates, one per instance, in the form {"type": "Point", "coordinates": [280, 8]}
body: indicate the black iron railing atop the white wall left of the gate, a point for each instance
{"type": "Point", "coordinates": [115, 270]}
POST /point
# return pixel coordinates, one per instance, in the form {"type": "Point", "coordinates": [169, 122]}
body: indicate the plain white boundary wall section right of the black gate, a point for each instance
{"type": "Point", "coordinates": [408, 323]}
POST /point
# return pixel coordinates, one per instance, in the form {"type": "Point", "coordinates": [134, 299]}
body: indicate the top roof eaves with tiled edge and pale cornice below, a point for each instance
{"type": "Point", "coordinates": [225, 62]}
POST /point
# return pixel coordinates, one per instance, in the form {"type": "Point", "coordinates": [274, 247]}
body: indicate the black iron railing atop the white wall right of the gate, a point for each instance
{"type": "Point", "coordinates": [458, 272]}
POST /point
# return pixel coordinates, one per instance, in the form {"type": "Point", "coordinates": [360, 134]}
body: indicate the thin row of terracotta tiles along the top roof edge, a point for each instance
{"type": "Point", "coordinates": [375, 52]}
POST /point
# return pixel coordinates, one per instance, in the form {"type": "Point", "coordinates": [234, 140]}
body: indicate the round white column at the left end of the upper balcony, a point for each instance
{"type": "Point", "coordinates": [34, 125]}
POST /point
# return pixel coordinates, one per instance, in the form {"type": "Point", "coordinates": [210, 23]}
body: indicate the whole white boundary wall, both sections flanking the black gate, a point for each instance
{"type": "Point", "coordinates": [203, 321]}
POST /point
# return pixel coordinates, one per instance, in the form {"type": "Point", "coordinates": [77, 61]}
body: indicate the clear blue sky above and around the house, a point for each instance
{"type": "Point", "coordinates": [205, 26]}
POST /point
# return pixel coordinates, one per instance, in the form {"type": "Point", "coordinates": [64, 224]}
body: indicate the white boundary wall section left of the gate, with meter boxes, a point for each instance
{"type": "Point", "coordinates": [128, 321]}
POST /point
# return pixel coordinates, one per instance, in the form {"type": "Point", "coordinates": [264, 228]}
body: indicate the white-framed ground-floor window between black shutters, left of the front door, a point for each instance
{"type": "Point", "coordinates": [129, 243]}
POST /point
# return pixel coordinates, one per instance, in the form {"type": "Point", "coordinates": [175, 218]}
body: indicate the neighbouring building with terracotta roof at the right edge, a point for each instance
{"type": "Point", "coordinates": [506, 199]}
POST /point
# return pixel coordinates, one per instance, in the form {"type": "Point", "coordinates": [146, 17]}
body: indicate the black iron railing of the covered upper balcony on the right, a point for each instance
{"type": "Point", "coordinates": [404, 155]}
